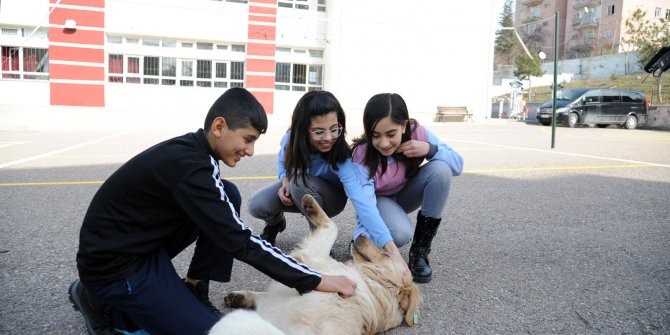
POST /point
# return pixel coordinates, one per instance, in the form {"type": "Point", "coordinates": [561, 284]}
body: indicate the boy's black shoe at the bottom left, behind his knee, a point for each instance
{"type": "Point", "coordinates": [97, 316]}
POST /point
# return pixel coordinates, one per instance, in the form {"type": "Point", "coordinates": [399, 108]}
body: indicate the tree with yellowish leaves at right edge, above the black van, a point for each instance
{"type": "Point", "coordinates": [647, 37]}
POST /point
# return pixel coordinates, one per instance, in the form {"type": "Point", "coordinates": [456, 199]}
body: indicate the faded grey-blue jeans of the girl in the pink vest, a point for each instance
{"type": "Point", "coordinates": [429, 189]}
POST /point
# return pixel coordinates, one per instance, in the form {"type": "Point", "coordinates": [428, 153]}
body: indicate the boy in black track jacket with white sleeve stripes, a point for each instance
{"type": "Point", "coordinates": [160, 202]}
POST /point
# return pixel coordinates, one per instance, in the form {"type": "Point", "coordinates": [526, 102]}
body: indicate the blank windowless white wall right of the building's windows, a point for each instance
{"type": "Point", "coordinates": [430, 52]}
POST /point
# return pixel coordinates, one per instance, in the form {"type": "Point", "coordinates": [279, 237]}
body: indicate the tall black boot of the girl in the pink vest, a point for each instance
{"type": "Point", "coordinates": [425, 230]}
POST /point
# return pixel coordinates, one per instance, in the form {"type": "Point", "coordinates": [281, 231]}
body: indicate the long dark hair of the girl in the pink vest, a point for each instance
{"type": "Point", "coordinates": [380, 106]}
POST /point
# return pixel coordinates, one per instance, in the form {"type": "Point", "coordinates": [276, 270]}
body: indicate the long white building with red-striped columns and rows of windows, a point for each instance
{"type": "Point", "coordinates": [182, 54]}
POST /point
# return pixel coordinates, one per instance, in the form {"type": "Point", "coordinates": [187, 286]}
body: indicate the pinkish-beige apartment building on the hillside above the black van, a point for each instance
{"type": "Point", "coordinates": [586, 27]}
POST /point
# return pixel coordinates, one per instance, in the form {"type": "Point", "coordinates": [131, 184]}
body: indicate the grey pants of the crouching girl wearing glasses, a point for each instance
{"type": "Point", "coordinates": [265, 203]}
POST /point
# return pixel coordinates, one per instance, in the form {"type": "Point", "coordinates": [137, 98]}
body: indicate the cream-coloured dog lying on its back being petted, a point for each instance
{"type": "Point", "coordinates": [385, 293]}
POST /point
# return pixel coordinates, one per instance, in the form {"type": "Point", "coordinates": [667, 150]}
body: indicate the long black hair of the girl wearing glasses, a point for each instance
{"type": "Point", "coordinates": [297, 156]}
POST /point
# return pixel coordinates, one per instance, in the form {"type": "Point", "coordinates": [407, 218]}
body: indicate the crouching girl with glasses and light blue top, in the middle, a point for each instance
{"type": "Point", "coordinates": [315, 158]}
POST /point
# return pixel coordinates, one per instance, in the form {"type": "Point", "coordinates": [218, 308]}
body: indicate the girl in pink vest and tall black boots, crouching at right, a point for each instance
{"type": "Point", "coordinates": [390, 153]}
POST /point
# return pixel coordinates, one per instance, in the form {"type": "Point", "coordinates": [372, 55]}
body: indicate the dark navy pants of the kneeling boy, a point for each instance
{"type": "Point", "coordinates": [155, 299]}
